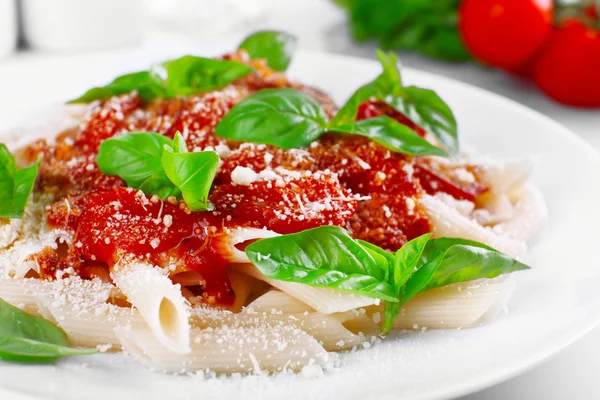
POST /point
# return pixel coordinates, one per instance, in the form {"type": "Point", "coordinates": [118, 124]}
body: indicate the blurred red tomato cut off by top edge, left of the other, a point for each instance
{"type": "Point", "coordinates": [505, 33]}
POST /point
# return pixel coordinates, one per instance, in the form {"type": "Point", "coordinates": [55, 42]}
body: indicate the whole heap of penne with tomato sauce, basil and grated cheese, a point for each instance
{"type": "Point", "coordinates": [214, 214]}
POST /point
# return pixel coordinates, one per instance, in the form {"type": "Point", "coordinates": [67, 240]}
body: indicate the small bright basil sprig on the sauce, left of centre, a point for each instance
{"type": "Point", "coordinates": [158, 166]}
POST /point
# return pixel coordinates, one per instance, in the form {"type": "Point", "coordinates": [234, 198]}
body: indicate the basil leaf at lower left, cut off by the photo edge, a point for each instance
{"type": "Point", "coordinates": [26, 338]}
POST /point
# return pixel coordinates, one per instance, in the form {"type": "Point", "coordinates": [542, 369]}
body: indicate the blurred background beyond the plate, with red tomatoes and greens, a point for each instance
{"type": "Point", "coordinates": [541, 53]}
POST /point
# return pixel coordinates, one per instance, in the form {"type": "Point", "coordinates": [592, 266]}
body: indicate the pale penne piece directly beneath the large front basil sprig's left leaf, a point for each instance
{"type": "Point", "coordinates": [326, 301]}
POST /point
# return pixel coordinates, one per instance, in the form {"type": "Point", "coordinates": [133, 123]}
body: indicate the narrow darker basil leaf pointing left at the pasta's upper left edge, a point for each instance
{"type": "Point", "coordinates": [147, 86]}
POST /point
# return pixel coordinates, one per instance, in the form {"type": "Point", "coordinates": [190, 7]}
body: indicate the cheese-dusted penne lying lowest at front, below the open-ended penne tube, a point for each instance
{"type": "Point", "coordinates": [229, 350]}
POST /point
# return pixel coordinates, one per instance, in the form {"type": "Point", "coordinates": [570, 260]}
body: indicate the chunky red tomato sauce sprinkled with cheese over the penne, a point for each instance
{"type": "Point", "coordinates": [346, 181]}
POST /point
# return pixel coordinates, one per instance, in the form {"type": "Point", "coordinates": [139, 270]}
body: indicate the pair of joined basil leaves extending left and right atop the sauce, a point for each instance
{"type": "Point", "coordinates": [287, 118]}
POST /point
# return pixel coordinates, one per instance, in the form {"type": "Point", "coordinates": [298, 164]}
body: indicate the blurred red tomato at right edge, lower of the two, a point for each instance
{"type": "Point", "coordinates": [568, 68]}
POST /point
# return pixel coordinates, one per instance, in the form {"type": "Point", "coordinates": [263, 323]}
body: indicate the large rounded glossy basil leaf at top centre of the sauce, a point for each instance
{"type": "Point", "coordinates": [284, 118]}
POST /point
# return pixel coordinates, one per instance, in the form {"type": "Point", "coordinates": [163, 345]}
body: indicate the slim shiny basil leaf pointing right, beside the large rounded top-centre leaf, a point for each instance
{"type": "Point", "coordinates": [393, 135]}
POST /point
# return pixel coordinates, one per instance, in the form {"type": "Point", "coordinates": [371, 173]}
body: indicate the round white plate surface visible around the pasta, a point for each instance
{"type": "Point", "coordinates": [555, 303]}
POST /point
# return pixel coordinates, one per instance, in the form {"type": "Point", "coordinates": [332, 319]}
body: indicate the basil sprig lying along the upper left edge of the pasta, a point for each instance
{"type": "Point", "coordinates": [180, 77]}
